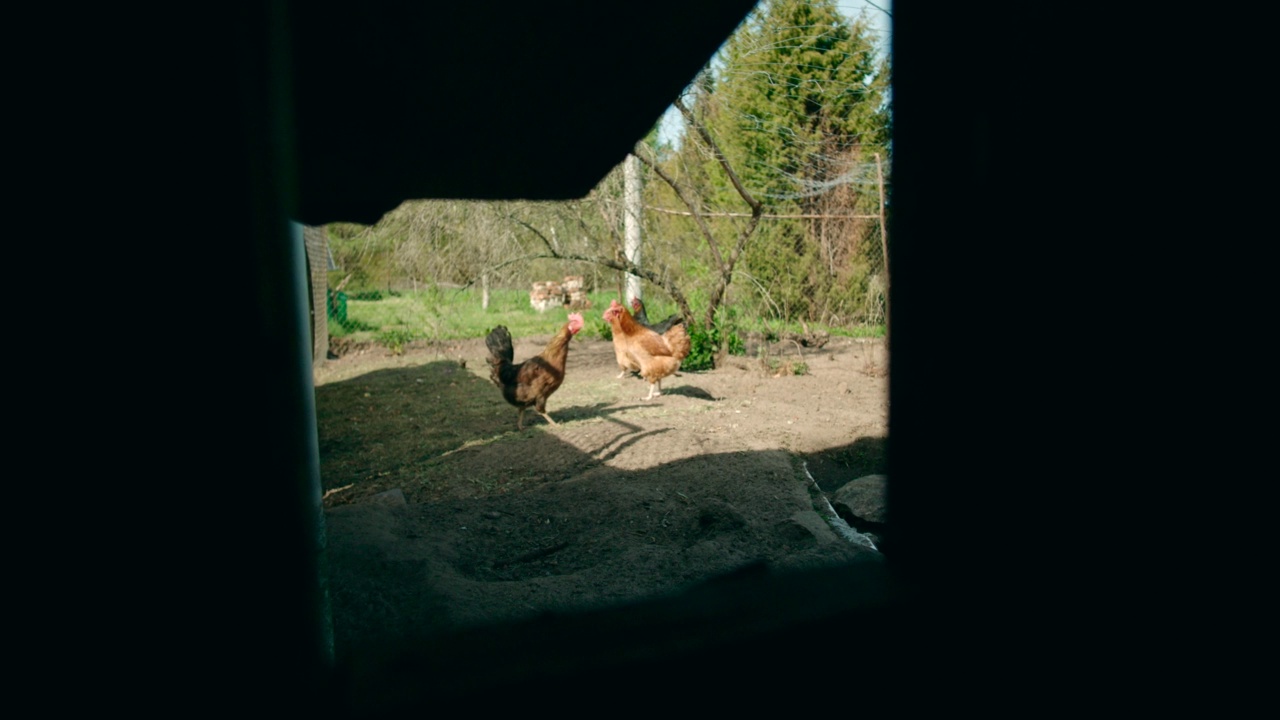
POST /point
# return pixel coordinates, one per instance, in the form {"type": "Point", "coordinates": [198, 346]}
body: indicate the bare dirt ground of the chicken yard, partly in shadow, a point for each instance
{"type": "Point", "coordinates": [621, 500]}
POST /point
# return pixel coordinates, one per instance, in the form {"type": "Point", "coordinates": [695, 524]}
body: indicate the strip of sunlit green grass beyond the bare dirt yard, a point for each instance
{"type": "Point", "coordinates": [454, 315]}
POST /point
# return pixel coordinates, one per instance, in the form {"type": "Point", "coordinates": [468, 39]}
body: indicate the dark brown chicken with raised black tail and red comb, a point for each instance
{"type": "Point", "coordinates": [532, 382]}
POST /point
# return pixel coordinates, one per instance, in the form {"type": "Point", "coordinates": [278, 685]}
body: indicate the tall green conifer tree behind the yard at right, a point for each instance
{"type": "Point", "coordinates": [798, 103]}
